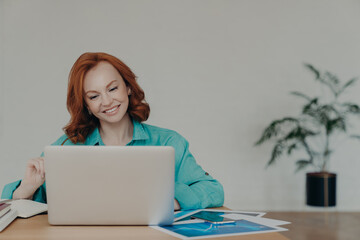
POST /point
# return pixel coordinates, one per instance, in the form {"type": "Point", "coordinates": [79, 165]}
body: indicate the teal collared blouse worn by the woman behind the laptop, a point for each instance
{"type": "Point", "coordinates": [194, 188]}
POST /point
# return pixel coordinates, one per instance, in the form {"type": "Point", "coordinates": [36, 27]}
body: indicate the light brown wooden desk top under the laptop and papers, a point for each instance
{"type": "Point", "coordinates": [38, 228]}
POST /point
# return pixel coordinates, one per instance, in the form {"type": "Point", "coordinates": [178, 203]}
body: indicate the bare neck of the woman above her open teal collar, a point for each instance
{"type": "Point", "coordinates": [117, 133]}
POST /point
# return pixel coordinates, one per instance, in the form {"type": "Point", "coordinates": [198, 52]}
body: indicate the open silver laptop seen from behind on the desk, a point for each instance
{"type": "Point", "coordinates": [110, 185]}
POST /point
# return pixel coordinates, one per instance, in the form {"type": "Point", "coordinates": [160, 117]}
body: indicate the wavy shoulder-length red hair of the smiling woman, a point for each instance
{"type": "Point", "coordinates": [81, 123]}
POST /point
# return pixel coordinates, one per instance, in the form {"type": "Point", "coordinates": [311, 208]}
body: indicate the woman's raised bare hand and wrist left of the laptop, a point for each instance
{"type": "Point", "coordinates": [34, 178]}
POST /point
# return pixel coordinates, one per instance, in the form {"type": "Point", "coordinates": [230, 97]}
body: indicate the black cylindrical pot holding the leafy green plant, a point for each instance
{"type": "Point", "coordinates": [321, 189]}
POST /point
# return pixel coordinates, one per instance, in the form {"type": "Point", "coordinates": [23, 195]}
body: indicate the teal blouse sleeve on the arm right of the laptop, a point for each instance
{"type": "Point", "coordinates": [194, 188]}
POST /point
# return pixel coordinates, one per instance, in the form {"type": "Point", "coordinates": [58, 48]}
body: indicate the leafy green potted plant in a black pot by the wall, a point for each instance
{"type": "Point", "coordinates": [312, 133]}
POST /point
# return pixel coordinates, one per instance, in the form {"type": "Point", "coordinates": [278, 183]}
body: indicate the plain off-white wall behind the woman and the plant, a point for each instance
{"type": "Point", "coordinates": [216, 71]}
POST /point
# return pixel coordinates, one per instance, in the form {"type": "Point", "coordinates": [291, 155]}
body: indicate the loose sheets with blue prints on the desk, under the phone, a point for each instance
{"type": "Point", "coordinates": [186, 227]}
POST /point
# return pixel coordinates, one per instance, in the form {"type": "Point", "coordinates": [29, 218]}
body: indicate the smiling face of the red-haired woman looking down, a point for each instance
{"type": "Point", "coordinates": [106, 94]}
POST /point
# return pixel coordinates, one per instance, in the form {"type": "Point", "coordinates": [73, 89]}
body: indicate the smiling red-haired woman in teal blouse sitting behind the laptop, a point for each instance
{"type": "Point", "coordinates": [107, 107]}
